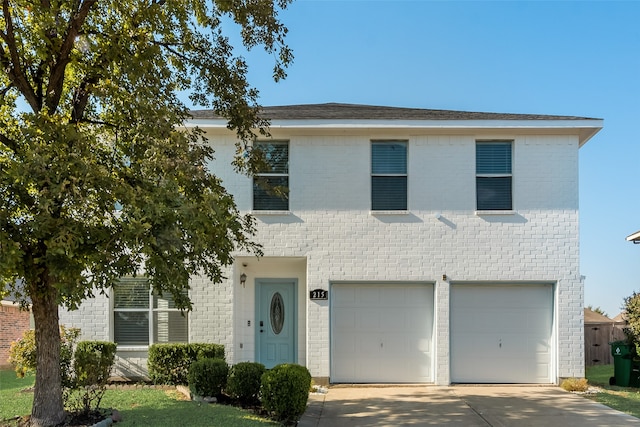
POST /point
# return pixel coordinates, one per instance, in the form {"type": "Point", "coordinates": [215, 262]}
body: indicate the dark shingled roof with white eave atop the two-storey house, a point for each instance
{"type": "Point", "coordinates": [372, 116]}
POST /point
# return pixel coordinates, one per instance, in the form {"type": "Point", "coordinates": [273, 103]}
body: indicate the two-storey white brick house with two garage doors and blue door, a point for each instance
{"type": "Point", "coordinates": [446, 244]}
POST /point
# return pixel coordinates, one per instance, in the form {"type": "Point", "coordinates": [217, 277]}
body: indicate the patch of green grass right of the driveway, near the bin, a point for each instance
{"type": "Point", "coordinates": [624, 399]}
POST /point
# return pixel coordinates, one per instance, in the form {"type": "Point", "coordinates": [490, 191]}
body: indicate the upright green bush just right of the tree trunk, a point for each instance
{"type": "Point", "coordinates": [92, 364]}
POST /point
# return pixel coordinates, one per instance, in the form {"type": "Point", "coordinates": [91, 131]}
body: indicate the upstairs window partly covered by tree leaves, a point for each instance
{"type": "Point", "coordinates": [271, 183]}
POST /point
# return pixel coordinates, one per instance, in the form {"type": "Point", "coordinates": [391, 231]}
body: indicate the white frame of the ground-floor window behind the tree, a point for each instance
{"type": "Point", "coordinates": [149, 310]}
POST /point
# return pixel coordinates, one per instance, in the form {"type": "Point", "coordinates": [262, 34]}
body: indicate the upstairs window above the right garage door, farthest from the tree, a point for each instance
{"type": "Point", "coordinates": [493, 175]}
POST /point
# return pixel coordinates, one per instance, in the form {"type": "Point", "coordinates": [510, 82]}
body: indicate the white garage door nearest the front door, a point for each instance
{"type": "Point", "coordinates": [381, 333]}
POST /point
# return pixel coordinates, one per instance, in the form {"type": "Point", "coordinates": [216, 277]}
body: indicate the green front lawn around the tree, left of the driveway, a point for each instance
{"type": "Point", "coordinates": [138, 407]}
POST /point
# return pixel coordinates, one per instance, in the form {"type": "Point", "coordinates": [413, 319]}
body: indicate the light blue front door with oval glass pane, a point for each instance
{"type": "Point", "coordinates": [276, 321]}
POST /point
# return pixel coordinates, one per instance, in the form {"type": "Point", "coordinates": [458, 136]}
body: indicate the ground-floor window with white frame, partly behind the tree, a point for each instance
{"type": "Point", "coordinates": [141, 318]}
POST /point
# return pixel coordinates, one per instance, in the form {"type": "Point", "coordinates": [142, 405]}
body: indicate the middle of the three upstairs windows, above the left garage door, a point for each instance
{"type": "Point", "coordinates": [388, 175]}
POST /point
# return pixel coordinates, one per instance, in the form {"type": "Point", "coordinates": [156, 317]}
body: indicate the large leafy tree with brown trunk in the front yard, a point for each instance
{"type": "Point", "coordinates": [96, 179]}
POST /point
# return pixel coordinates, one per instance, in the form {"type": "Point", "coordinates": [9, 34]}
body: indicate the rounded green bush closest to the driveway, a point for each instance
{"type": "Point", "coordinates": [285, 391]}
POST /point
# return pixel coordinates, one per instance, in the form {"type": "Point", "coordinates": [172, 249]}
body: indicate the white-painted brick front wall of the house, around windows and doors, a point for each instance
{"type": "Point", "coordinates": [330, 235]}
